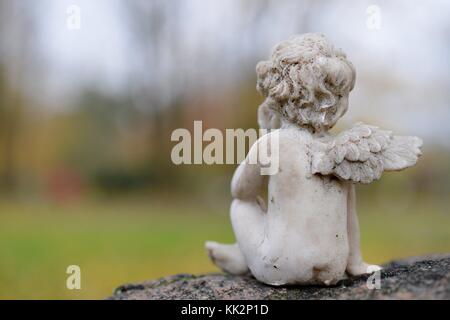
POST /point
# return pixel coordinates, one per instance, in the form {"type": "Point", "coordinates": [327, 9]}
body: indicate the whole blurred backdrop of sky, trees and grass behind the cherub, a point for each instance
{"type": "Point", "coordinates": [86, 116]}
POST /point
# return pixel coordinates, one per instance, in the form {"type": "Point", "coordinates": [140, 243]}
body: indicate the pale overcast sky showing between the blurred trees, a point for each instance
{"type": "Point", "coordinates": [409, 41]}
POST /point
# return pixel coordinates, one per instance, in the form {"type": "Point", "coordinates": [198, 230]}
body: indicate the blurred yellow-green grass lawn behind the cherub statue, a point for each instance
{"type": "Point", "coordinates": [130, 241]}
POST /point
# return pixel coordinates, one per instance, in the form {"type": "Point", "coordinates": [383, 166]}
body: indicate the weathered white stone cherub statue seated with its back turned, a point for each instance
{"type": "Point", "coordinates": [307, 232]}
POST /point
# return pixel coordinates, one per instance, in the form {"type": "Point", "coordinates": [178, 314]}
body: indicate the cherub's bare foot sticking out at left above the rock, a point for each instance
{"type": "Point", "coordinates": [227, 257]}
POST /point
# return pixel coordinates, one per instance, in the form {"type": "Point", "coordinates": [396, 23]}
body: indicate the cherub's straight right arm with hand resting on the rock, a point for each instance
{"type": "Point", "coordinates": [355, 263]}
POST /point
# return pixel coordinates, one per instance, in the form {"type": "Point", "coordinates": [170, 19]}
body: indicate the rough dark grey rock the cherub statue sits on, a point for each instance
{"type": "Point", "coordinates": [414, 278]}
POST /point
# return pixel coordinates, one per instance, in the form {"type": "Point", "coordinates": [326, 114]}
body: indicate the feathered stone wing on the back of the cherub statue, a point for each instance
{"type": "Point", "coordinates": [361, 154]}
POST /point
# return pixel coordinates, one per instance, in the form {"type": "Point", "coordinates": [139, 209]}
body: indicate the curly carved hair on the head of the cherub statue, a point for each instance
{"type": "Point", "coordinates": [303, 78]}
